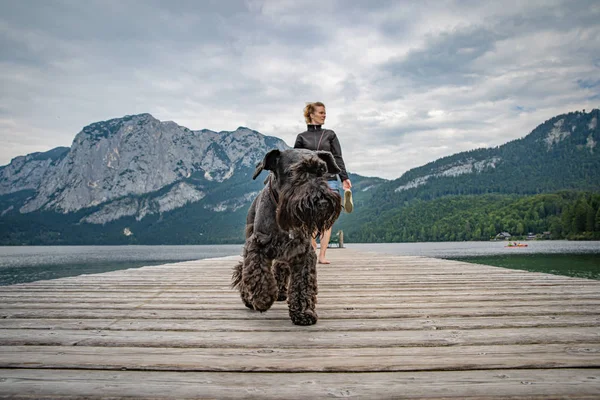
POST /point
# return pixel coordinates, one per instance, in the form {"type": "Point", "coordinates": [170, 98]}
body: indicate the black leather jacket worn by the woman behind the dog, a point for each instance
{"type": "Point", "coordinates": [317, 138]}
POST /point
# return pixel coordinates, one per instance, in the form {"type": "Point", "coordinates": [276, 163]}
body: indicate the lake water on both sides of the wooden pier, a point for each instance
{"type": "Point", "coordinates": [32, 263]}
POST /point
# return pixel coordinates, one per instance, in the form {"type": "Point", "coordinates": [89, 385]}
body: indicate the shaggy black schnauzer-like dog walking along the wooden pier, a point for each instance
{"type": "Point", "coordinates": [295, 203]}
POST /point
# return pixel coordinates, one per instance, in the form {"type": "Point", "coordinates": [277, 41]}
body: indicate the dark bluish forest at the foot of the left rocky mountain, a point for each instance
{"type": "Point", "coordinates": [186, 225]}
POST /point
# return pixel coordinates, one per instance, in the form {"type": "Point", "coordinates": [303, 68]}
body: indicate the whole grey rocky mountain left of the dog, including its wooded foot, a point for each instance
{"type": "Point", "coordinates": [136, 180]}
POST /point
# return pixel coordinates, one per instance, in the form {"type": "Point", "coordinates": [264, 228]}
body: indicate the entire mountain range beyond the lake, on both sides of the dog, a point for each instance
{"type": "Point", "coordinates": [137, 180]}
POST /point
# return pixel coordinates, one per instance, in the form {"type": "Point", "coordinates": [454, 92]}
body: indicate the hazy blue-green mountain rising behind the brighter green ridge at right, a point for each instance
{"type": "Point", "coordinates": [560, 154]}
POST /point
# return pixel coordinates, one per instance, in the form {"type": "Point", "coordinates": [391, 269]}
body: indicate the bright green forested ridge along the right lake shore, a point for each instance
{"type": "Point", "coordinates": [566, 215]}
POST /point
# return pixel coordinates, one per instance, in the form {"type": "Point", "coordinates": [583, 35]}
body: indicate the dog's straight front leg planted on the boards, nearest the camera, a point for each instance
{"type": "Point", "coordinates": [303, 287]}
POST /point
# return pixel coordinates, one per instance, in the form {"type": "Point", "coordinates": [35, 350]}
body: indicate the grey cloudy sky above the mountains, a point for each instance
{"type": "Point", "coordinates": [404, 82]}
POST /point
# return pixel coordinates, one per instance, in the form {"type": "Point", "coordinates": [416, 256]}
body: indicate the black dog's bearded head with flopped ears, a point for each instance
{"type": "Point", "coordinates": [305, 201]}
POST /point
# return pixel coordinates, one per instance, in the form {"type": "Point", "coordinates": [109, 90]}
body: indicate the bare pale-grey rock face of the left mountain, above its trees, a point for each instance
{"type": "Point", "coordinates": [136, 155]}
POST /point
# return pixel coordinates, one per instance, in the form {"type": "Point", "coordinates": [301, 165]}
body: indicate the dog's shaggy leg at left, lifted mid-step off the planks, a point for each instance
{"type": "Point", "coordinates": [258, 280]}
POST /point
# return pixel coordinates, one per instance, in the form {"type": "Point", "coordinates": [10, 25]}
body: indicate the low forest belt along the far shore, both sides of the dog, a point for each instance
{"type": "Point", "coordinates": [566, 215]}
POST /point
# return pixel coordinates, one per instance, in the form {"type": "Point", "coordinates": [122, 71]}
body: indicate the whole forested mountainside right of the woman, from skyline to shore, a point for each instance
{"type": "Point", "coordinates": [477, 194]}
